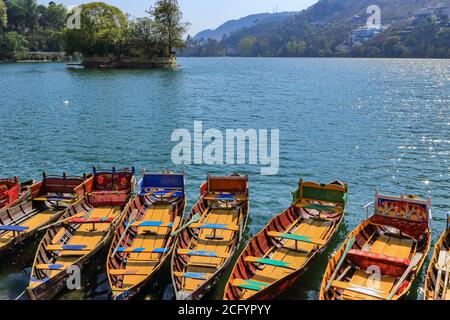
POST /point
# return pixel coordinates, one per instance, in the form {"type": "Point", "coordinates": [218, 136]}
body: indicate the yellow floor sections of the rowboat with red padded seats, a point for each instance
{"type": "Point", "coordinates": [386, 245]}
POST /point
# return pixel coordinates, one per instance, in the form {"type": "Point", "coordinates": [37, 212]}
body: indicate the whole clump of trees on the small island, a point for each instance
{"type": "Point", "coordinates": [106, 30]}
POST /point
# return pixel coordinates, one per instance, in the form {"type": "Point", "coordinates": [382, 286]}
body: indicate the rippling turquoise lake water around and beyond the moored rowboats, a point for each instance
{"type": "Point", "coordinates": [373, 123]}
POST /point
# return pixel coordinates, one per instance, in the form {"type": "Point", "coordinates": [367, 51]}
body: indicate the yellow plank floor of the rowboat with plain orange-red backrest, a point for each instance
{"type": "Point", "coordinates": [221, 243]}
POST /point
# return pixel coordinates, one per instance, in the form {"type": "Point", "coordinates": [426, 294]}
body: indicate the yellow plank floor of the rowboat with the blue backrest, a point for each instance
{"type": "Point", "coordinates": [144, 263]}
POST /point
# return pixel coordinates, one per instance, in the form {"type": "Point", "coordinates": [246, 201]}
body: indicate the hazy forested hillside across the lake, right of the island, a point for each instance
{"type": "Point", "coordinates": [324, 29]}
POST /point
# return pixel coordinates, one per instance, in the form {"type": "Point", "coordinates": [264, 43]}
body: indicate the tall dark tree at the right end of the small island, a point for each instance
{"type": "Point", "coordinates": [168, 25]}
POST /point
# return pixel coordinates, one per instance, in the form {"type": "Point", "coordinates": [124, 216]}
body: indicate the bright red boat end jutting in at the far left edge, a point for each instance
{"type": "Point", "coordinates": [12, 192]}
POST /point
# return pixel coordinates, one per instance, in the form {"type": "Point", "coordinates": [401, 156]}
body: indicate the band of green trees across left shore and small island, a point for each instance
{"type": "Point", "coordinates": [29, 31]}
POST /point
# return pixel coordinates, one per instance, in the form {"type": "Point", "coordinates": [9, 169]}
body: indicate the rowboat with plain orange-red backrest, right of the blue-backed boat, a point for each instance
{"type": "Point", "coordinates": [214, 229]}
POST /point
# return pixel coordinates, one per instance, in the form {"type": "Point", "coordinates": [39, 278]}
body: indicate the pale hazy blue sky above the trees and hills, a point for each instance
{"type": "Point", "coordinates": [206, 14]}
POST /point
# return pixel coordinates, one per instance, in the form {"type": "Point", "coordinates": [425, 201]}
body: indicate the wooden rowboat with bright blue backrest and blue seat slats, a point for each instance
{"type": "Point", "coordinates": [144, 240]}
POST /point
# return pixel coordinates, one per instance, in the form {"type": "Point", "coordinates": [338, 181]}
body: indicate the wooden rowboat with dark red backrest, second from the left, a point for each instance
{"type": "Point", "coordinates": [47, 201]}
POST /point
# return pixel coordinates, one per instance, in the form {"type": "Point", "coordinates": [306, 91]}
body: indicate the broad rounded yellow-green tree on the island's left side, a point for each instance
{"type": "Point", "coordinates": [102, 30]}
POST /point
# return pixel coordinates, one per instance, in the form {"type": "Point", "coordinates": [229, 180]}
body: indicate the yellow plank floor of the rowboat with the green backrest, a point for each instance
{"type": "Point", "coordinates": [294, 256]}
